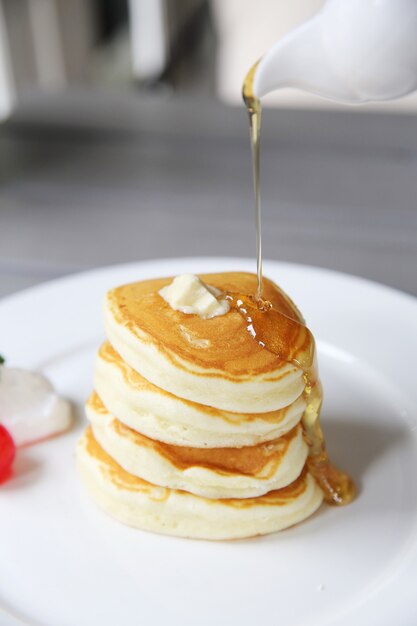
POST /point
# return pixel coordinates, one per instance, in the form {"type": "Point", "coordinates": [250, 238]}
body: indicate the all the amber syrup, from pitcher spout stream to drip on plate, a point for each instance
{"type": "Point", "coordinates": [288, 338]}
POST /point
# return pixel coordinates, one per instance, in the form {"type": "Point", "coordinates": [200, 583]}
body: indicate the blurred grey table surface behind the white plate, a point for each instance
{"type": "Point", "coordinates": [91, 179]}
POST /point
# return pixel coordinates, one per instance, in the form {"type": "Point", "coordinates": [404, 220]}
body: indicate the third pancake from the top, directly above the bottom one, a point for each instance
{"type": "Point", "coordinates": [211, 473]}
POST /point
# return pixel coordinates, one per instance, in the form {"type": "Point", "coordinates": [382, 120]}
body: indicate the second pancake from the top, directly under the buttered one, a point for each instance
{"type": "Point", "coordinates": [161, 415]}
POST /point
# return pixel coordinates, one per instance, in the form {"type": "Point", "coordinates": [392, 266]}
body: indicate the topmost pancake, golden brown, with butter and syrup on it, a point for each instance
{"type": "Point", "coordinates": [214, 362]}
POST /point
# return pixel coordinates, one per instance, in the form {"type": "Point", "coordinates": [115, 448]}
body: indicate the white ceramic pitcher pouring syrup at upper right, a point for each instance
{"type": "Point", "coordinates": [353, 51]}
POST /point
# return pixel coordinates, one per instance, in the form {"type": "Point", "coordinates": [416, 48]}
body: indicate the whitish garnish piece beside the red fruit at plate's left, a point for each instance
{"type": "Point", "coordinates": [30, 408]}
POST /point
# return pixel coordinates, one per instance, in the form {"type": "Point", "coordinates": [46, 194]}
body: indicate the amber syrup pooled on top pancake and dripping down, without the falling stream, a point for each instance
{"type": "Point", "coordinates": [292, 342]}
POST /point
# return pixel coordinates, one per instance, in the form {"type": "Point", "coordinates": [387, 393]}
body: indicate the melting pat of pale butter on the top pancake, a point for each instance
{"type": "Point", "coordinates": [189, 294]}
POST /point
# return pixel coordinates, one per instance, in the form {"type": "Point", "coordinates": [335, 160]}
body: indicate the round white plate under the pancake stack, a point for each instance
{"type": "Point", "coordinates": [64, 563]}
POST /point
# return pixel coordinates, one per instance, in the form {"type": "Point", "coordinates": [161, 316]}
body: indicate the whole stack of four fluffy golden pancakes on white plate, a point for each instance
{"type": "Point", "coordinates": [196, 430]}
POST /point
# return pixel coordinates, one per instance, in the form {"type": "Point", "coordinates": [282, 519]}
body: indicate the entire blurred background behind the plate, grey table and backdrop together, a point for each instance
{"type": "Point", "coordinates": [123, 137]}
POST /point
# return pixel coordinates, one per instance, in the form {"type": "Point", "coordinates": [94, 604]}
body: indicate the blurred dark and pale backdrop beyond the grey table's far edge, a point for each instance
{"type": "Point", "coordinates": [158, 46]}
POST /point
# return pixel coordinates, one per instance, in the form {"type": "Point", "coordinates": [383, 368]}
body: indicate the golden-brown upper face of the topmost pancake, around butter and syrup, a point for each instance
{"type": "Point", "coordinates": [219, 344]}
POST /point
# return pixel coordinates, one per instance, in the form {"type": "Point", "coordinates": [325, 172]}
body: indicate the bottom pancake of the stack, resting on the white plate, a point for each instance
{"type": "Point", "coordinates": [138, 503]}
